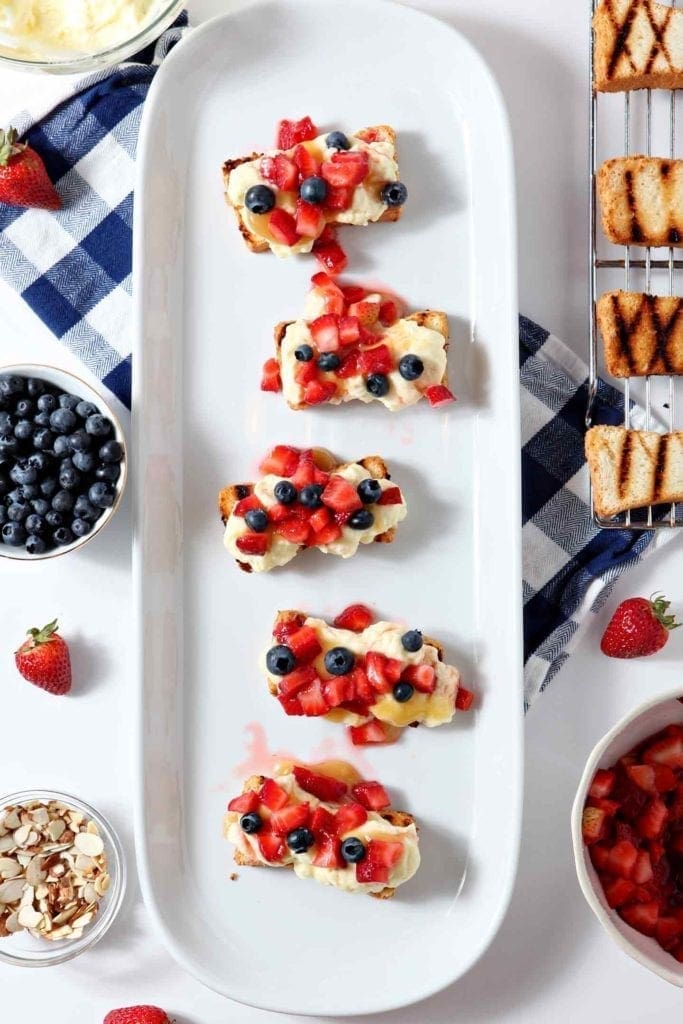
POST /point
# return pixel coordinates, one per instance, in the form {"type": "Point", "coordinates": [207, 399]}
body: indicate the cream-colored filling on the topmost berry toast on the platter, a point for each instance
{"type": "Point", "coordinates": [367, 205]}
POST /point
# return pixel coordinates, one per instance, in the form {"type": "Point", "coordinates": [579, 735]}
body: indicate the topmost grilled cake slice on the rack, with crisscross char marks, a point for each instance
{"type": "Point", "coordinates": [638, 46]}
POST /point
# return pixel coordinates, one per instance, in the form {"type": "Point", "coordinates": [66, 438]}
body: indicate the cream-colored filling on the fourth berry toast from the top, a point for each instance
{"type": "Point", "coordinates": [433, 709]}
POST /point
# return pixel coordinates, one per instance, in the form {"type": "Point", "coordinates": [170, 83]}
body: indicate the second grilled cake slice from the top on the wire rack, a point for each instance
{"type": "Point", "coordinates": [642, 199]}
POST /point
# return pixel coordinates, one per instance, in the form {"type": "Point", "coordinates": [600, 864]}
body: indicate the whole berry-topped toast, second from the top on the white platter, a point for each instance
{"type": "Point", "coordinates": [358, 345]}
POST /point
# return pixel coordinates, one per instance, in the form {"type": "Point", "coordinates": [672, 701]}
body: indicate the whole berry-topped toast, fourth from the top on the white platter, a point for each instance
{"type": "Point", "coordinates": [375, 677]}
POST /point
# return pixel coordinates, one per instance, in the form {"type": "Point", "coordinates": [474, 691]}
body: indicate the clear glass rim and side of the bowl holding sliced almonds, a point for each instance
{"type": "Point", "coordinates": [22, 950]}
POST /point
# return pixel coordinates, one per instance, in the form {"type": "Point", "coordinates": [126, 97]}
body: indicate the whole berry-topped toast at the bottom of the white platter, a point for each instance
{"type": "Point", "coordinates": [328, 825]}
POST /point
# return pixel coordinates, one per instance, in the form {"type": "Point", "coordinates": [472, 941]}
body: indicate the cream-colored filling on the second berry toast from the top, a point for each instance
{"type": "Point", "coordinates": [403, 337]}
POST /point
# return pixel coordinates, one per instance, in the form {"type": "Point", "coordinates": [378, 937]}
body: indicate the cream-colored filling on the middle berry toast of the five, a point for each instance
{"type": "Point", "coordinates": [282, 551]}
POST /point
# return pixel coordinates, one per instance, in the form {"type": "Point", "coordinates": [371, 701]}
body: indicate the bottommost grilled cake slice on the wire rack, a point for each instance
{"type": "Point", "coordinates": [632, 470]}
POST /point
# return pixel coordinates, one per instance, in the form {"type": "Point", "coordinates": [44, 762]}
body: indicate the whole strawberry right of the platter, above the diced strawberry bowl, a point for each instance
{"type": "Point", "coordinates": [638, 628]}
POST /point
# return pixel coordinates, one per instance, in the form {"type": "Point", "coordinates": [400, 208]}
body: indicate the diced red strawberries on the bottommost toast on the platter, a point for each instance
{"type": "Point", "coordinates": [281, 814]}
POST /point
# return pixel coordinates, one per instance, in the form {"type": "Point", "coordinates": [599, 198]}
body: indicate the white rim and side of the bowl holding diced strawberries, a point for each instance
{"type": "Point", "coordinates": [609, 919]}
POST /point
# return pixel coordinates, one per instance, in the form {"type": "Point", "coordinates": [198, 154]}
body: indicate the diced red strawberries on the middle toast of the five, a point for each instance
{"type": "Point", "coordinates": [296, 523]}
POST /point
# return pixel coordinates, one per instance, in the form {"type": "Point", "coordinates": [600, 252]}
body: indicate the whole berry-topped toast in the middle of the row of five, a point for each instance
{"type": "Point", "coordinates": [308, 499]}
